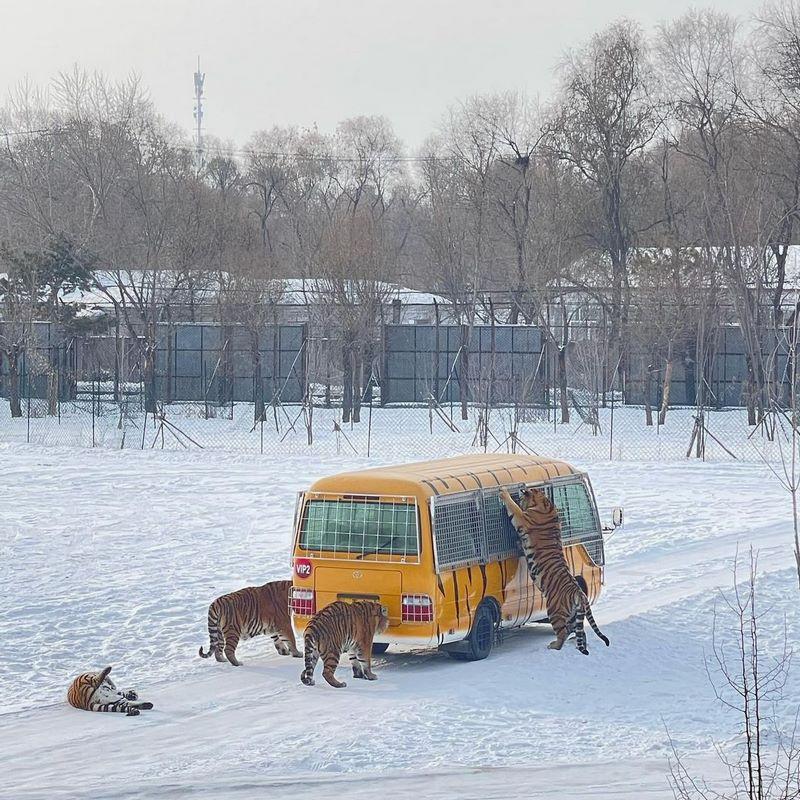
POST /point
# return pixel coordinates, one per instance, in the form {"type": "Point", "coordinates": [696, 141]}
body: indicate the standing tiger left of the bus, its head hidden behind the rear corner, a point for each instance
{"type": "Point", "coordinates": [250, 612]}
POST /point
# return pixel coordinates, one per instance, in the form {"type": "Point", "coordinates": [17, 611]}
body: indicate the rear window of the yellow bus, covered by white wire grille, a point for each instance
{"type": "Point", "coordinates": [359, 526]}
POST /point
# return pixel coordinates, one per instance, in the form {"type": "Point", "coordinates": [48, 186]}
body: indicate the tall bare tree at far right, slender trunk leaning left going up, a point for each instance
{"type": "Point", "coordinates": [703, 62]}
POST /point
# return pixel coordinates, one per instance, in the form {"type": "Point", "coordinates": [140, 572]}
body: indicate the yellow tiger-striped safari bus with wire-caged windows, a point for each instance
{"type": "Point", "coordinates": [433, 543]}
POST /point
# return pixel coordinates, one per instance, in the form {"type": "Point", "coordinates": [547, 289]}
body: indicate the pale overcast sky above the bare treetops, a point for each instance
{"type": "Point", "coordinates": [313, 61]}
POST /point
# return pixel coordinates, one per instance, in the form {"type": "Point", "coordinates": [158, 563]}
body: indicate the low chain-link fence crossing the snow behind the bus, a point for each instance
{"type": "Point", "coordinates": [612, 432]}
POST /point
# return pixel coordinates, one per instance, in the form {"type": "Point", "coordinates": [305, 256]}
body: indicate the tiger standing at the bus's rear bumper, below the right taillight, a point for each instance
{"type": "Point", "coordinates": [343, 628]}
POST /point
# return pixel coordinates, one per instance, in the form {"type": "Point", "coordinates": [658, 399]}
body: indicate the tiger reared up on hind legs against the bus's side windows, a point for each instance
{"type": "Point", "coordinates": [539, 529]}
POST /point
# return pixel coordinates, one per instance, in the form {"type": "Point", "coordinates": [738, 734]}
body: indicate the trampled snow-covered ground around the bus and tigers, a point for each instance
{"type": "Point", "coordinates": [111, 557]}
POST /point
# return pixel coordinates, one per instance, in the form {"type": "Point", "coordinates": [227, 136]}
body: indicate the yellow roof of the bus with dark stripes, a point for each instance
{"type": "Point", "coordinates": [446, 475]}
